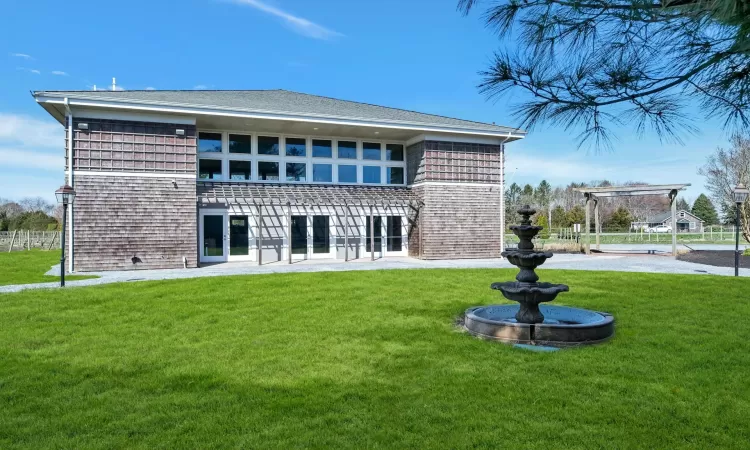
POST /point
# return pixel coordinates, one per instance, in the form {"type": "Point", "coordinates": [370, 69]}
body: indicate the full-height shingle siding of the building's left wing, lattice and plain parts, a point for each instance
{"type": "Point", "coordinates": [150, 218]}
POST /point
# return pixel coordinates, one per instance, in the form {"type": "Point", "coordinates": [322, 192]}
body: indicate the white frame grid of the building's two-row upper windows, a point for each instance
{"type": "Point", "coordinates": [384, 164]}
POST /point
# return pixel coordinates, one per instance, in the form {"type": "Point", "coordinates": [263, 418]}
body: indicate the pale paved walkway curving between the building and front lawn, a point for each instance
{"type": "Point", "coordinates": [613, 262]}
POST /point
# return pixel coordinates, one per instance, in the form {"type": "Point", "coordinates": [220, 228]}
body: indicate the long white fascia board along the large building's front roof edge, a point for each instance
{"type": "Point", "coordinates": [311, 118]}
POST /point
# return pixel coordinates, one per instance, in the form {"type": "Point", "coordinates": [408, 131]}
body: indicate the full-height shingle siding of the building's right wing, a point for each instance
{"type": "Point", "coordinates": [460, 218]}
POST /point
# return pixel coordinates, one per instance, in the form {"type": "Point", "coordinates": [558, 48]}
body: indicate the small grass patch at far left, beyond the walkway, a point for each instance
{"type": "Point", "coordinates": [30, 266]}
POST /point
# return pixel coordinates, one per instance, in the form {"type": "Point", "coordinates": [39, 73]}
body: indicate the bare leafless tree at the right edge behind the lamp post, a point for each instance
{"type": "Point", "coordinates": [724, 170]}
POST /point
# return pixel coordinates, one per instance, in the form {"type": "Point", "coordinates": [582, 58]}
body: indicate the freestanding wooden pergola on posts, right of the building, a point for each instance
{"type": "Point", "coordinates": [594, 194]}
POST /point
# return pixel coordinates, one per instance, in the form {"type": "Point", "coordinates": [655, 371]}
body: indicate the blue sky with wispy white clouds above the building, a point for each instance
{"type": "Point", "coordinates": [419, 55]}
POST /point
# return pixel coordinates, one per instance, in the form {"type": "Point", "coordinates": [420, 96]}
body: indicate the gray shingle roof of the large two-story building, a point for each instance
{"type": "Point", "coordinates": [281, 102]}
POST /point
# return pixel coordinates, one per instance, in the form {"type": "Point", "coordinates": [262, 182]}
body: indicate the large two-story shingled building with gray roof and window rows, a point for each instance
{"type": "Point", "coordinates": [170, 179]}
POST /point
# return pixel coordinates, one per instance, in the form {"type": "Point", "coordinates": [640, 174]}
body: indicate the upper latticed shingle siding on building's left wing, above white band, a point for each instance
{"type": "Point", "coordinates": [110, 145]}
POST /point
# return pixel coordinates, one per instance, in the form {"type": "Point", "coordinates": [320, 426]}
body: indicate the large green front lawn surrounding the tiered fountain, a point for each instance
{"type": "Point", "coordinates": [369, 360]}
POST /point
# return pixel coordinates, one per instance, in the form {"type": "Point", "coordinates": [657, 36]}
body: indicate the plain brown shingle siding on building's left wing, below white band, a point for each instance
{"type": "Point", "coordinates": [119, 218]}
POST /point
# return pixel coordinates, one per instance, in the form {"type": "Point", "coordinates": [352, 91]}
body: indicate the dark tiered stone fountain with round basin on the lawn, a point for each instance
{"type": "Point", "coordinates": [528, 323]}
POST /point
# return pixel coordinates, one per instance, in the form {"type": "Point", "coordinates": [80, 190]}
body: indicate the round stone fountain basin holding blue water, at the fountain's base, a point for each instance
{"type": "Point", "coordinates": [562, 327]}
